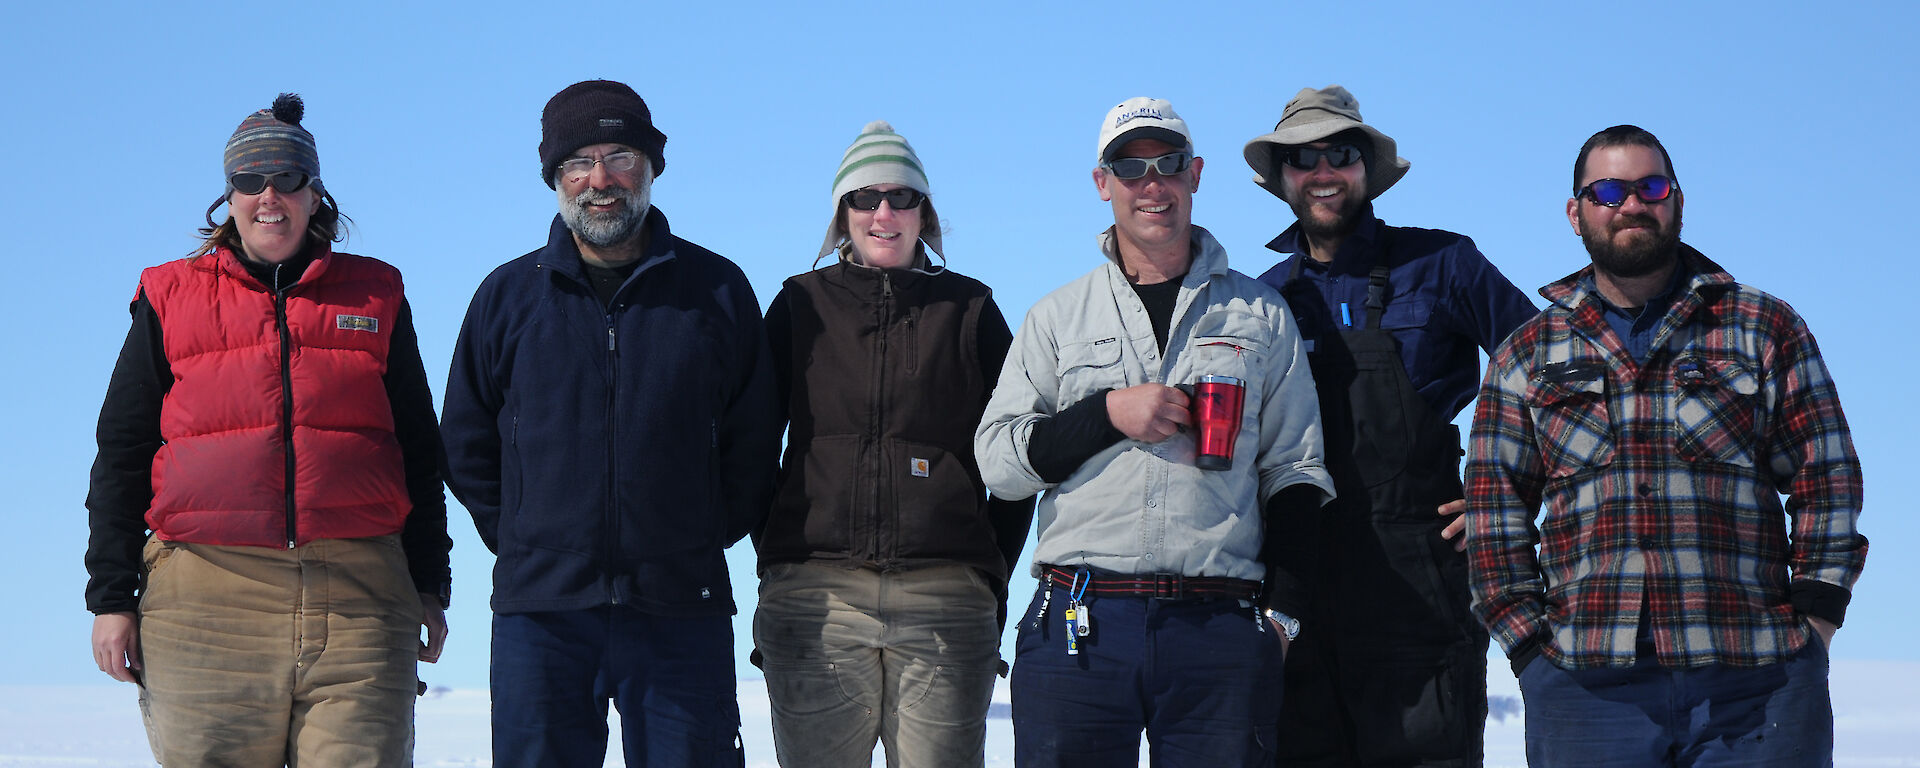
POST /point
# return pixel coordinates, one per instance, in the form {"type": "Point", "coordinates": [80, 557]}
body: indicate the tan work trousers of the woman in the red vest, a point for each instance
{"type": "Point", "coordinates": [264, 658]}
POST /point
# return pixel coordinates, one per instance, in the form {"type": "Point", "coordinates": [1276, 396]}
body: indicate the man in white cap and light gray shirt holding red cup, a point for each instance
{"type": "Point", "coordinates": [1153, 569]}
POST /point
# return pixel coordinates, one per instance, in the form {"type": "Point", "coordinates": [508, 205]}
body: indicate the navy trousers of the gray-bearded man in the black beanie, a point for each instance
{"type": "Point", "coordinates": [671, 679]}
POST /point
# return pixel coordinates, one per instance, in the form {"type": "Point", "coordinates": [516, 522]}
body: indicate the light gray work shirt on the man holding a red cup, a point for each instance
{"type": "Point", "coordinates": [1145, 508]}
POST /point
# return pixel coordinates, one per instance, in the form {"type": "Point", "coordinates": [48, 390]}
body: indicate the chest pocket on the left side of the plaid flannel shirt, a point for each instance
{"type": "Point", "coordinates": [1572, 421]}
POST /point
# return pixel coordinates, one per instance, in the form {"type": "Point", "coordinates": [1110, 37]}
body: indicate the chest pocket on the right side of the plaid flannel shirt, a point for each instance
{"type": "Point", "coordinates": [1717, 410]}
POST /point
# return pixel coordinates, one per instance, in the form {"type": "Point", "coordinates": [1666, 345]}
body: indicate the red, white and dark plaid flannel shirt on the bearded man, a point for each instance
{"type": "Point", "coordinates": [1662, 483]}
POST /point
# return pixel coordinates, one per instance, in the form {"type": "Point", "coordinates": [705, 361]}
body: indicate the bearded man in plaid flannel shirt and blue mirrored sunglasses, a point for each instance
{"type": "Point", "coordinates": [1677, 612]}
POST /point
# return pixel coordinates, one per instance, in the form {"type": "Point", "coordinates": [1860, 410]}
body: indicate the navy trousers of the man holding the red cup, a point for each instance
{"type": "Point", "coordinates": [1201, 677]}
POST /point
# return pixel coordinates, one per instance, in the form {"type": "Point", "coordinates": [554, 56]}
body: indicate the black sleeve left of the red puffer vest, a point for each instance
{"type": "Point", "coordinates": [122, 483]}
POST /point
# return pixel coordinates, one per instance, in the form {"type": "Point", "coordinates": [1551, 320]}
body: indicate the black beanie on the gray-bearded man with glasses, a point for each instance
{"type": "Point", "coordinates": [596, 112]}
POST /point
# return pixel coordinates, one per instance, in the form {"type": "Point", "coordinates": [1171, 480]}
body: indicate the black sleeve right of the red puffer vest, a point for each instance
{"type": "Point", "coordinates": [425, 537]}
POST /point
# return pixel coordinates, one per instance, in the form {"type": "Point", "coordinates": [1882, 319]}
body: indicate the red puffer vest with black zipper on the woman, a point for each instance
{"type": "Point", "coordinates": [277, 427]}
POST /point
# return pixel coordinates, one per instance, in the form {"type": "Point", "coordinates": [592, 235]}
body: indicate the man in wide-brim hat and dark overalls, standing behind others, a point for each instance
{"type": "Point", "coordinates": [1391, 667]}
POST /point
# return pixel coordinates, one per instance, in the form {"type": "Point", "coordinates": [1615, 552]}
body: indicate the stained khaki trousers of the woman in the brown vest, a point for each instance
{"type": "Point", "coordinates": [857, 656]}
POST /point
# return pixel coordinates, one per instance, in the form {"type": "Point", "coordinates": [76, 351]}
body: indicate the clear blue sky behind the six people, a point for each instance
{"type": "Point", "coordinates": [1788, 128]}
